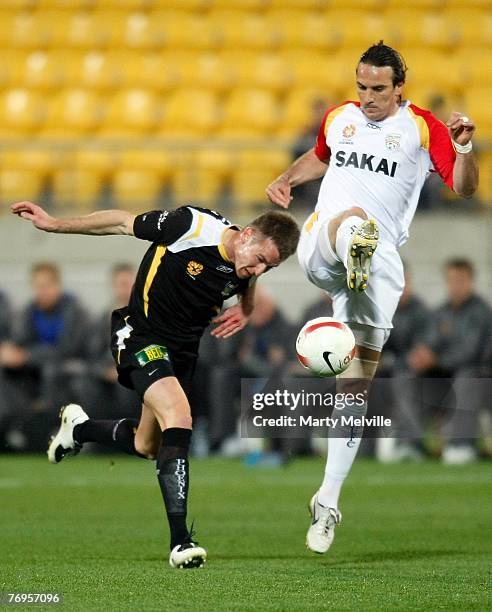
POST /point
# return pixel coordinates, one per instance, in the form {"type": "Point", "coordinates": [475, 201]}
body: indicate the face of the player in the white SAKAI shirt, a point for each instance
{"type": "Point", "coordinates": [379, 98]}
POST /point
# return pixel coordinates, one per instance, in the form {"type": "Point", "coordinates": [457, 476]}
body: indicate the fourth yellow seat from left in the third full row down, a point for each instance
{"type": "Point", "coordinates": [190, 113]}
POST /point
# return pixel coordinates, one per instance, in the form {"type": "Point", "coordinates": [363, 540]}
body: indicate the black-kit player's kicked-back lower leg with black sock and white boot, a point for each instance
{"type": "Point", "coordinates": [76, 428]}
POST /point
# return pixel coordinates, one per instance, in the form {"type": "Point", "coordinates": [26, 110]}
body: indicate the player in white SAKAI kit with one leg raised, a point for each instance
{"type": "Point", "coordinates": [374, 155]}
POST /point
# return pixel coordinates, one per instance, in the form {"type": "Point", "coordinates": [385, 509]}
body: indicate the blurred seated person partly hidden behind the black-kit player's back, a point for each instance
{"type": "Point", "coordinates": [103, 396]}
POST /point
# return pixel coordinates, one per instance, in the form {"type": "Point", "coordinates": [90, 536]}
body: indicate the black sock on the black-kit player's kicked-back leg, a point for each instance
{"type": "Point", "coordinates": [118, 434]}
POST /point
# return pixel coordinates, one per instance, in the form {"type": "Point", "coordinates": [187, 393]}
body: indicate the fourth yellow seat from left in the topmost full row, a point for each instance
{"type": "Point", "coordinates": [185, 30]}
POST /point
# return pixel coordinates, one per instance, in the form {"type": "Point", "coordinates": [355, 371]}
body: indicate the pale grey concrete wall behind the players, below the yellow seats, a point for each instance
{"type": "Point", "coordinates": [87, 260]}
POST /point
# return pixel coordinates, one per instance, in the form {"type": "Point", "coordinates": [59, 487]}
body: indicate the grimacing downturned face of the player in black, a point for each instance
{"type": "Point", "coordinates": [254, 255]}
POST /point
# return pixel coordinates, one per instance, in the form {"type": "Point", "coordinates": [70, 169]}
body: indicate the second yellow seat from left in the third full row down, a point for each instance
{"type": "Point", "coordinates": [73, 113]}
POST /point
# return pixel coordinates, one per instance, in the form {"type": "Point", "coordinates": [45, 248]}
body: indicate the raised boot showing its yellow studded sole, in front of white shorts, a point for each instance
{"type": "Point", "coordinates": [361, 249]}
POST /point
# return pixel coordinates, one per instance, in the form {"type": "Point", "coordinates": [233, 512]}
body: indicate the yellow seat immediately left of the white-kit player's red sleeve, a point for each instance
{"type": "Point", "coordinates": [297, 110]}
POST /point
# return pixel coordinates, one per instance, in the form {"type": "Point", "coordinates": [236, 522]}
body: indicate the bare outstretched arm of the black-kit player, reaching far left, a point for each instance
{"type": "Point", "coordinates": [104, 222]}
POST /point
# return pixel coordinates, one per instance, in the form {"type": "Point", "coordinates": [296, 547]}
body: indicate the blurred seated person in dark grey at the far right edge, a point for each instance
{"type": "Point", "coordinates": [456, 346]}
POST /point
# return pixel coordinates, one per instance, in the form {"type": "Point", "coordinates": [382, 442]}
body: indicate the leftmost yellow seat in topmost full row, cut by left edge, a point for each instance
{"type": "Point", "coordinates": [23, 29]}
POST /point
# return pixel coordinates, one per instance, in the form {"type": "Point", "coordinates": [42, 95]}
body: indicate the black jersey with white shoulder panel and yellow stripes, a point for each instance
{"type": "Point", "coordinates": [185, 276]}
